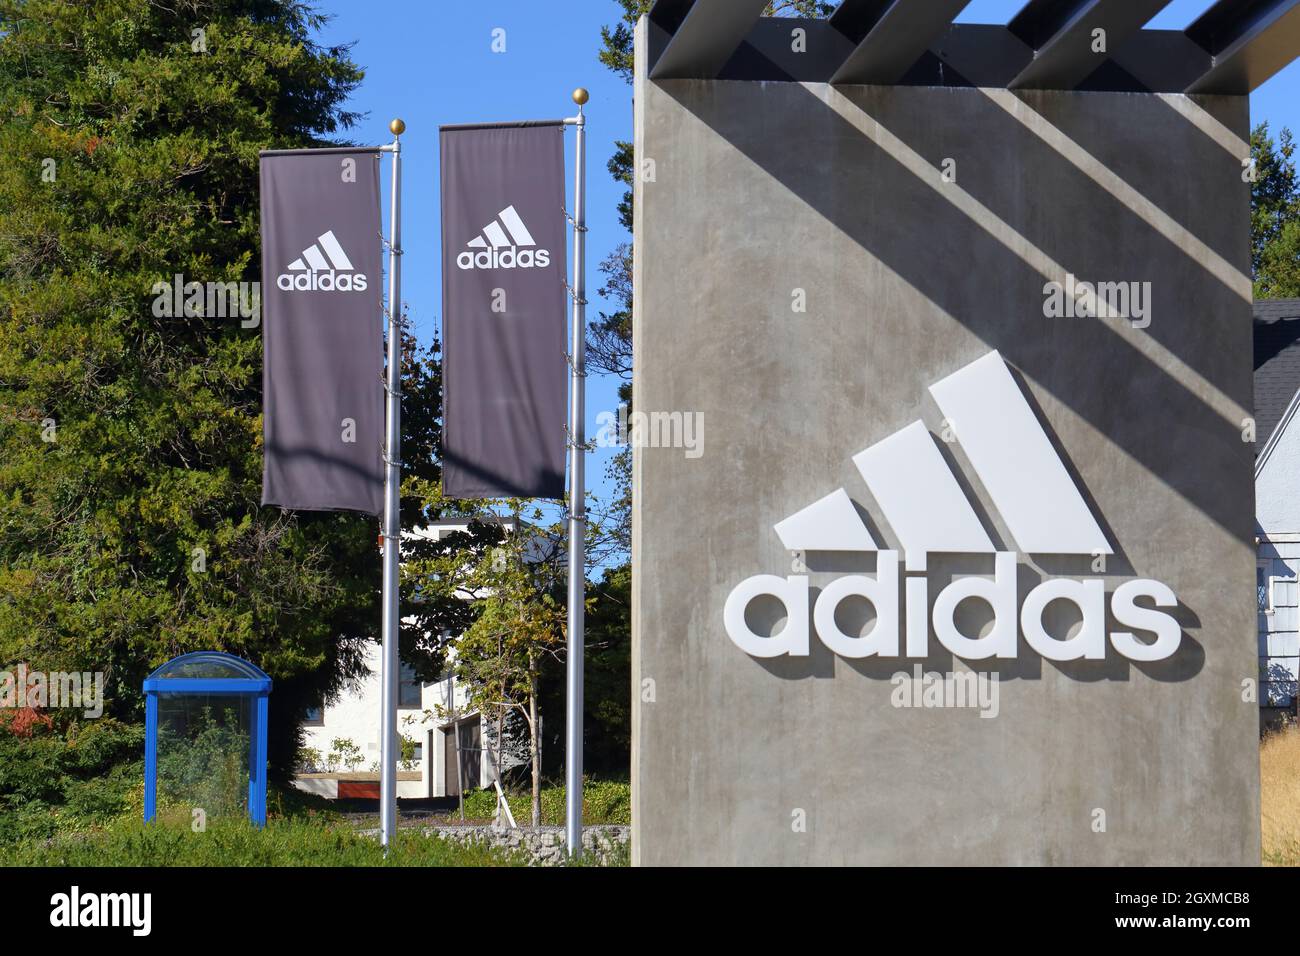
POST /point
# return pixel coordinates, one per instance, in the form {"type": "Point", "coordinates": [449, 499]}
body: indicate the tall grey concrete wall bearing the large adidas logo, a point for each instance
{"type": "Point", "coordinates": [764, 189]}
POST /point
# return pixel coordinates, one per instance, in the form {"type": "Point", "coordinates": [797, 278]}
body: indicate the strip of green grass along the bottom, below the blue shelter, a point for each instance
{"type": "Point", "coordinates": [284, 842]}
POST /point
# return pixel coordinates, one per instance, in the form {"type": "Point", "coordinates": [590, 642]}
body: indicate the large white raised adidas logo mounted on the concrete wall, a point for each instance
{"type": "Point", "coordinates": [924, 503]}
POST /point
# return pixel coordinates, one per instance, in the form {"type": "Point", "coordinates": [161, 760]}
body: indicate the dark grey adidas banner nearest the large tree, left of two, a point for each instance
{"type": "Point", "coordinates": [323, 331]}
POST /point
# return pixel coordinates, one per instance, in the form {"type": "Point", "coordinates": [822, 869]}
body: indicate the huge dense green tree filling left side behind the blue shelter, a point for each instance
{"type": "Point", "coordinates": [131, 444]}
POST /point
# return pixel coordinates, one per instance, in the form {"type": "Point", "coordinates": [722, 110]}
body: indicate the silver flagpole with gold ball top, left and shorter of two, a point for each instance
{"type": "Point", "coordinates": [392, 514]}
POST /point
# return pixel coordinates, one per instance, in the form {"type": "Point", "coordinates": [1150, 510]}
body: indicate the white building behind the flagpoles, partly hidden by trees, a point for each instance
{"type": "Point", "coordinates": [432, 713]}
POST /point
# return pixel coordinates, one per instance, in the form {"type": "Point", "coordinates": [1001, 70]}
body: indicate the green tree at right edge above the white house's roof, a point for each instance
{"type": "Point", "coordinates": [1275, 215]}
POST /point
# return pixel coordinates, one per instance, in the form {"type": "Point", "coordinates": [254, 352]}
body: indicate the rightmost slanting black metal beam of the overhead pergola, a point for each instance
{"type": "Point", "coordinates": [1249, 41]}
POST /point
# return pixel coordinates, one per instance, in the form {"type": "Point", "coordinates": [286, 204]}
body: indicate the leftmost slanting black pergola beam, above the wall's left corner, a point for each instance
{"type": "Point", "coordinates": [704, 36]}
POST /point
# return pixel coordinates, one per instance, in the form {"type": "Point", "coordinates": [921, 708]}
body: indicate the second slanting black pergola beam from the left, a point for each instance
{"type": "Point", "coordinates": [891, 36]}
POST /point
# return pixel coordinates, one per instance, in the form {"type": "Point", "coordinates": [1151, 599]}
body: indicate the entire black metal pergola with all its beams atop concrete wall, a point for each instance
{"type": "Point", "coordinates": [1232, 50]}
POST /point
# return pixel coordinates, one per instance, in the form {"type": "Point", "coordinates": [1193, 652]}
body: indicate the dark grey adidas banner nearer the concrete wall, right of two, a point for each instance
{"type": "Point", "coordinates": [504, 304]}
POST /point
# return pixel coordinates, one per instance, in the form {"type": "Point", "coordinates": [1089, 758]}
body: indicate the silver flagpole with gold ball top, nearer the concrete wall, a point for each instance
{"type": "Point", "coordinates": [578, 500]}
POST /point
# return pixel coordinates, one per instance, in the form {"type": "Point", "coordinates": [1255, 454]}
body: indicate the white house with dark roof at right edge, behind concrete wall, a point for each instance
{"type": "Point", "coordinates": [1277, 503]}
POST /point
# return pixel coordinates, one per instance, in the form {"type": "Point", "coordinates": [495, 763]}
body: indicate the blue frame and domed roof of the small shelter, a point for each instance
{"type": "Point", "coordinates": [210, 673]}
